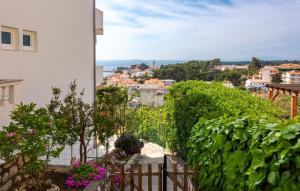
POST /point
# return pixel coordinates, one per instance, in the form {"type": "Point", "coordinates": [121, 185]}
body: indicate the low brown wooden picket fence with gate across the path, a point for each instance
{"type": "Point", "coordinates": [127, 178]}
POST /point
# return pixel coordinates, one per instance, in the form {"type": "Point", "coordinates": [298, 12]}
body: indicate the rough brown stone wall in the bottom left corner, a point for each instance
{"type": "Point", "coordinates": [12, 173]}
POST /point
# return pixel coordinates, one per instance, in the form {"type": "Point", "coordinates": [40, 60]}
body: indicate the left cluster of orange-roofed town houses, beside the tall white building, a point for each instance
{"type": "Point", "coordinates": [142, 88]}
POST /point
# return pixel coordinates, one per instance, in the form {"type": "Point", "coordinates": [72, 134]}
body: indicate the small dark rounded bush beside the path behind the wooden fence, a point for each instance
{"type": "Point", "coordinates": [129, 143]}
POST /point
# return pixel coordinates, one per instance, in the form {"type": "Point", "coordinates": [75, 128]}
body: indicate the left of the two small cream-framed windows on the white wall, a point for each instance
{"type": "Point", "coordinates": [9, 38]}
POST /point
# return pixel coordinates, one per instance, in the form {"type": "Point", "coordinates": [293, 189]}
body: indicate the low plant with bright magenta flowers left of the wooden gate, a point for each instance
{"type": "Point", "coordinates": [84, 173]}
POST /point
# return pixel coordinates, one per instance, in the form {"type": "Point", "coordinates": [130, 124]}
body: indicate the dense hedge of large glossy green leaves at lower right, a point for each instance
{"type": "Point", "coordinates": [246, 154]}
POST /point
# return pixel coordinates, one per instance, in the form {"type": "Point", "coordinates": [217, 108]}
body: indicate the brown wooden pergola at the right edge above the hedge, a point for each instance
{"type": "Point", "coordinates": [290, 89]}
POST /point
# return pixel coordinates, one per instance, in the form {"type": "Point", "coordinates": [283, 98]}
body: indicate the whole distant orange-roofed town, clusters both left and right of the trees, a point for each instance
{"type": "Point", "coordinates": [145, 89]}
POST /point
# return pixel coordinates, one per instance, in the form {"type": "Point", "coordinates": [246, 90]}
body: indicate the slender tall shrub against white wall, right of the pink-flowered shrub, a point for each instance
{"type": "Point", "coordinates": [78, 115]}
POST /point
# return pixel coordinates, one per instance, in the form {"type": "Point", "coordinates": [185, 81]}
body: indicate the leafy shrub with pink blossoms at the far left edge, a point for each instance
{"type": "Point", "coordinates": [33, 133]}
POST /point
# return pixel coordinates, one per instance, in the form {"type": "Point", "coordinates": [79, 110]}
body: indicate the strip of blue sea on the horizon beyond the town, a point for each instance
{"type": "Point", "coordinates": [110, 65]}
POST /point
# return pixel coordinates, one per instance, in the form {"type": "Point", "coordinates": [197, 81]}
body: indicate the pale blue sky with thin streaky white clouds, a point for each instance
{"type": "Point", "coordinates": [199, 29]}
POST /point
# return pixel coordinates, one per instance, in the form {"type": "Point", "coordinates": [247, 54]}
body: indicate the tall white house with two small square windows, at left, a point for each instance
{"type": "Point", "coordinates": [49, 43]}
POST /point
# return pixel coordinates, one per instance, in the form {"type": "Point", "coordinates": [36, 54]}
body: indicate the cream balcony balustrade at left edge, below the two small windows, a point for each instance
{"type": "Point", "coordinates": [9, 98]}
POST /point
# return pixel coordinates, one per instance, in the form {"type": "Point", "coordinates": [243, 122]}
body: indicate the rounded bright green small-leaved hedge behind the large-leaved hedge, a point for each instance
{"type": "Point", "coordinates": [191, 100]}
